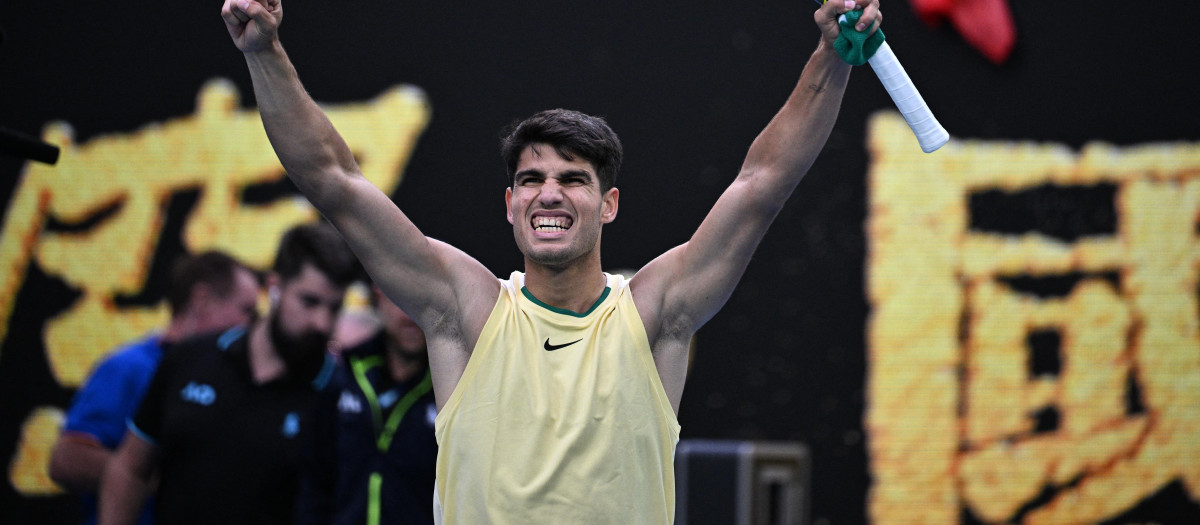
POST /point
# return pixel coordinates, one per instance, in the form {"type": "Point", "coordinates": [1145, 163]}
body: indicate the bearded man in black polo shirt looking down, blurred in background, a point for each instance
{"type": "Point", "coordinates": [225, 417]}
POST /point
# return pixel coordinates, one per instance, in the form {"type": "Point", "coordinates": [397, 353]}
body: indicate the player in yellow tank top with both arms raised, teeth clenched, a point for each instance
{"type": "Point", "coordinates": [557, 388]}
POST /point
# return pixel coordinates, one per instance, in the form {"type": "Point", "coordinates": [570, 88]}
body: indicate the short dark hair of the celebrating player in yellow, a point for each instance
{"type": "Point", "coordinates": [571, 134]}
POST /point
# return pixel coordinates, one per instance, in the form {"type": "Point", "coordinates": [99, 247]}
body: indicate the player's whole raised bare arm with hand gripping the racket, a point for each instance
{"type": "Point", "coordinates": [686, 287]}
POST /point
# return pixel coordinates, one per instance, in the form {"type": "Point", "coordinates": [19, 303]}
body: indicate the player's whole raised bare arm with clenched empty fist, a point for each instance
{"type": "Point", "coordinates": [430, 279]}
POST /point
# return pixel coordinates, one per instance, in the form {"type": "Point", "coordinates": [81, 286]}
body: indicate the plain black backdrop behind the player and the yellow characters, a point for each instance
{"type": "Point", "coordinates": [687, 86]}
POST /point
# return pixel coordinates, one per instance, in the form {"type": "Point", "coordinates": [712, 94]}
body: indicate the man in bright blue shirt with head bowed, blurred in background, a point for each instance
{"type": "Point", "coordinates": [207, 293]}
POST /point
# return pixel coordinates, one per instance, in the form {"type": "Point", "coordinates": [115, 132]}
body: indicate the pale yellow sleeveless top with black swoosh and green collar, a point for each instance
{"type": "Point", "coordinates": [559, 419]}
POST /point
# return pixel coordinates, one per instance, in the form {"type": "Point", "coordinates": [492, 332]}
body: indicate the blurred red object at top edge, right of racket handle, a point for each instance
{"type": "Point", "coordinates": [986, 25]}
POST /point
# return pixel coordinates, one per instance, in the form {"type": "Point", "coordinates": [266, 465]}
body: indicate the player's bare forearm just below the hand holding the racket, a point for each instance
{"type": "Point", "coordinates": [791, 142]}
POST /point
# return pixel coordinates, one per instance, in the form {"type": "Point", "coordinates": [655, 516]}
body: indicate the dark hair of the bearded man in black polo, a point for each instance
{"type": "Point", "coordinates": [320, 245]}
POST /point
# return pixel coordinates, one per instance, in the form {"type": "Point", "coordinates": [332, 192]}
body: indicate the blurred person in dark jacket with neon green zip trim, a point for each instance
{"type": "Point", "coordinates": [374, 455]}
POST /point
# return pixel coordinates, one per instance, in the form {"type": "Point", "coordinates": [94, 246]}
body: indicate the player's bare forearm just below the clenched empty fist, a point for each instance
{"type": "Point", "coordinates": [314, 154]}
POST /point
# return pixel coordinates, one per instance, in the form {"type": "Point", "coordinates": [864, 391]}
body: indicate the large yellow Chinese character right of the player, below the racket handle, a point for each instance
{"type": "Point", "coordinates": [951, 391]}
